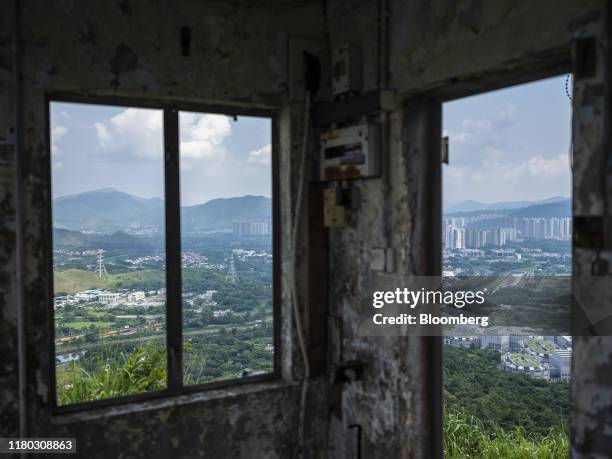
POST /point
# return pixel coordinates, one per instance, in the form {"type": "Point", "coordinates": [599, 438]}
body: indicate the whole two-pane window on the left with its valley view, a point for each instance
{"type": "Point", "coordinates": [140, 309]}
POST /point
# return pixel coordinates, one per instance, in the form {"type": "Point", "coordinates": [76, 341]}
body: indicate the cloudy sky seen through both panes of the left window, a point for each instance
{"type": "Point", "coordinates": [98, 146]}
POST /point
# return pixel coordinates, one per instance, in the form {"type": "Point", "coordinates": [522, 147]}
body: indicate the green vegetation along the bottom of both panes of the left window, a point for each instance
{"type": "Point", "coordinates": [115, 369]}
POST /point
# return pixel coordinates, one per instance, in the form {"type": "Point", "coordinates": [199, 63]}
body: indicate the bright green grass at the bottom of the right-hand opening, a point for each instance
{"type": "Point", "coordinates": [466, 437]}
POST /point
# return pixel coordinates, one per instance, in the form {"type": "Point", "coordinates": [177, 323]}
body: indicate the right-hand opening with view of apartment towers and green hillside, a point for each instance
{"type": "Point", "coordinates": [507, 222]}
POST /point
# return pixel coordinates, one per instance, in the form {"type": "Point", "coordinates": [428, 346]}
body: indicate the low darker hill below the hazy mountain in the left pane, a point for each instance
{"type": "Point", "coordinates": [75, 240]}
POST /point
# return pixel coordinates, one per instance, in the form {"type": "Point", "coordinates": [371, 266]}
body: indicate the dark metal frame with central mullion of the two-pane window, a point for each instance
{"type": "Point", "coordinates": [174, 325]}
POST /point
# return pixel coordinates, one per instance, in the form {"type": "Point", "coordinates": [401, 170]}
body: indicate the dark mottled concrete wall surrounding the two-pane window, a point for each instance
{"type": "Point", "coordinates": [132, 48]}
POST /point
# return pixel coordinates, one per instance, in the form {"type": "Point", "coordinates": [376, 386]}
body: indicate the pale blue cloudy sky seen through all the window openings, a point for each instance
{"type": "Point", "coordinates": [506, 145]}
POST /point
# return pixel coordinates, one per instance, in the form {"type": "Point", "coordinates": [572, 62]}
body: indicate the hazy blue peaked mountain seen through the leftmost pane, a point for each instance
{"type": "Point", "coordinates": [106, 210]}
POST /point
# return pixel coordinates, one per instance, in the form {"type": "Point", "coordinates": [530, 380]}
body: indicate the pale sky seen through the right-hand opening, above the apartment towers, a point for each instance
{"type": "Point", "coordinates": [509, 145]}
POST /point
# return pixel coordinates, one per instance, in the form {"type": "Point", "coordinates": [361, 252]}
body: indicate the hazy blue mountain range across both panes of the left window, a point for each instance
{"type": "Point", "coordinates": [110, 210]}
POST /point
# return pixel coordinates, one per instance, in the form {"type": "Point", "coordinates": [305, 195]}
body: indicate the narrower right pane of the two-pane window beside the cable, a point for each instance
{"type": "Point", "coordinates": [226, 186]}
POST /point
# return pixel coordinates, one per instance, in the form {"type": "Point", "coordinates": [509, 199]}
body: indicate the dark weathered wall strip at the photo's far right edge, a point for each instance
{"type": "Point", "coordinates": [591, 427]}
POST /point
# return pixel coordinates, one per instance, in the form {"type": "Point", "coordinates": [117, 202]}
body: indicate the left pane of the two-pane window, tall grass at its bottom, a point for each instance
{"type": "Point", "coordinates": [108, 251]}
